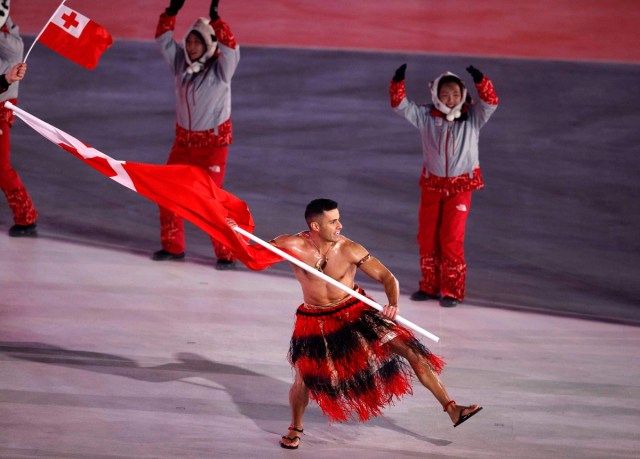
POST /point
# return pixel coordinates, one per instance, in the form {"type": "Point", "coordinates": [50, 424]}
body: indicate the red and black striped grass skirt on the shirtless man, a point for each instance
{"type": "Point", "coordinates": [342, 356]}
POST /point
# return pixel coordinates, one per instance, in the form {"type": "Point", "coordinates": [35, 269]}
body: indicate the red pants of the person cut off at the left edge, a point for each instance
{"type": "Point", "coordinates": [24, 213]}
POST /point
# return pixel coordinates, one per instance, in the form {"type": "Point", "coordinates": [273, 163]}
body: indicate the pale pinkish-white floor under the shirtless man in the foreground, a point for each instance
{"type": "Point", "coordinates": [107, 354]}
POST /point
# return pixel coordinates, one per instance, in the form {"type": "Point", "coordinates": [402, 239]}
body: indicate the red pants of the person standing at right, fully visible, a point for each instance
{"type": "Point", "coordinates": [441, 227]}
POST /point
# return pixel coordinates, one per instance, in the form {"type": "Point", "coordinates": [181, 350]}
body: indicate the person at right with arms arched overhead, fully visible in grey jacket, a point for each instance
{"type": "Point", "coordinates": [449, 130]}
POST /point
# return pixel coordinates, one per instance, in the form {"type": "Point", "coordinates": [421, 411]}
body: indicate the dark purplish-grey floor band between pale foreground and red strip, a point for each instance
{"type": "Point", "coordinates": [555, 229]}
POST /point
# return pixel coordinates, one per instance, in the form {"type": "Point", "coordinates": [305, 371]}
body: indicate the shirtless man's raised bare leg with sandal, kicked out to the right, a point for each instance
{"type": "Point", "coordinates": [429, 379]}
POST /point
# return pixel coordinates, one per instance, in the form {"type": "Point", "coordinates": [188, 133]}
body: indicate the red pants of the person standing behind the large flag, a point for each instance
{"type": "Point", "coordinates": [212, 159]}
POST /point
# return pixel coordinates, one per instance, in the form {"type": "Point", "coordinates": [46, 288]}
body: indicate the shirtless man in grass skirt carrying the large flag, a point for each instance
{"type": "Point", "coordinates": [348, 357]}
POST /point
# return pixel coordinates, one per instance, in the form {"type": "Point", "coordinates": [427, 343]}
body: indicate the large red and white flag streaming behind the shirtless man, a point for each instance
{"type": "Point", "coordinates": [186, 190]}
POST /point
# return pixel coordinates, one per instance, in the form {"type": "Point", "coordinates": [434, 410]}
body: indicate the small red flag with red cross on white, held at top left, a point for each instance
{"type": "Point", "coordinates": [76, 37]}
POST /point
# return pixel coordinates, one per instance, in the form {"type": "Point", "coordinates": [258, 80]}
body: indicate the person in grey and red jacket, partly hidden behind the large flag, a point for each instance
{"type": "Point", "coordinates": [203, 66]}
